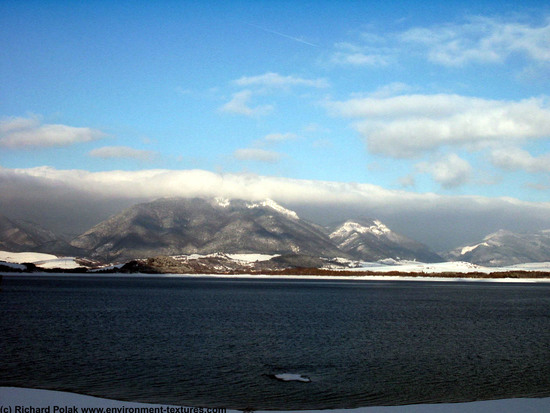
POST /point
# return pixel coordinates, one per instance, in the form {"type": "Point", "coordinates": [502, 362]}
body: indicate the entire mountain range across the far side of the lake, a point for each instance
{"type": "Point", "coordinates": [184, 226]}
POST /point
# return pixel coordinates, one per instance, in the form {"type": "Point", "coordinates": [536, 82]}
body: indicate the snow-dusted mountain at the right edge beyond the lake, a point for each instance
{"type": "Point", "coordinates": [505, 248]}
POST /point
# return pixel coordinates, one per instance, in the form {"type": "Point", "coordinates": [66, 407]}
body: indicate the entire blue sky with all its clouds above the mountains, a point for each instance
{"type": "Point", "coordinates": [434, 116]}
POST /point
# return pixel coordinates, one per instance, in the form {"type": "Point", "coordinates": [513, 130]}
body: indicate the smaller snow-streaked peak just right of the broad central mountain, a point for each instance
{"type": "Point", "coordinates": [372, 241]}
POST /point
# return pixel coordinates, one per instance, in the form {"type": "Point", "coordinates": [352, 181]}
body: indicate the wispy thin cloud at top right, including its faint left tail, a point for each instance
{"type": "Point", "coordinates": [481, 40]}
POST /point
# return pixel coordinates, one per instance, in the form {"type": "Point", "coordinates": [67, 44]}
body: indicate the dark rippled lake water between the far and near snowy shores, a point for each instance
{"type": "Point", "coordinates": [216, 342]}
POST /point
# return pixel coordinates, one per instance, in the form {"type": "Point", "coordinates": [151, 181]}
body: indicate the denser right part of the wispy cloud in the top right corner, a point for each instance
{"type": "Point", "coordinates": [481, 40]}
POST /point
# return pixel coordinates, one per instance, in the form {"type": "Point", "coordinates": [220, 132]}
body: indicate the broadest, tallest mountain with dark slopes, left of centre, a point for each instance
{"type": "Point", "coordinates": [187, 226]}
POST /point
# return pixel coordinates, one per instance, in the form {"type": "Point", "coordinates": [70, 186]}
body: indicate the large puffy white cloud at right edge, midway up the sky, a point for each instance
{"type": "Point", "coordinates": [408, 125]}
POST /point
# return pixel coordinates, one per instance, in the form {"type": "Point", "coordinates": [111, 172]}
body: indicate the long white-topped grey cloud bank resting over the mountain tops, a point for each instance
{"type": "Point", "coordinates": [74, 200]}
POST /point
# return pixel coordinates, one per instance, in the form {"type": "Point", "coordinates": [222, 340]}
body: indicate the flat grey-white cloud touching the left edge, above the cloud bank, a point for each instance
{"type": "Point", "coordinates": [29, 132]}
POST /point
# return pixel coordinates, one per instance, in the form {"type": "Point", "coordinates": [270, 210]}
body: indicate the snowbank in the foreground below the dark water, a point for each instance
{"type": "Point", "coordinates": [14, 396]}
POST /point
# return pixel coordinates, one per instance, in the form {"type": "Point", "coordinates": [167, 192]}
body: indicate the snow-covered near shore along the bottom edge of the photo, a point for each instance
{"type": "Point", "coordinates": [65, 402]}
